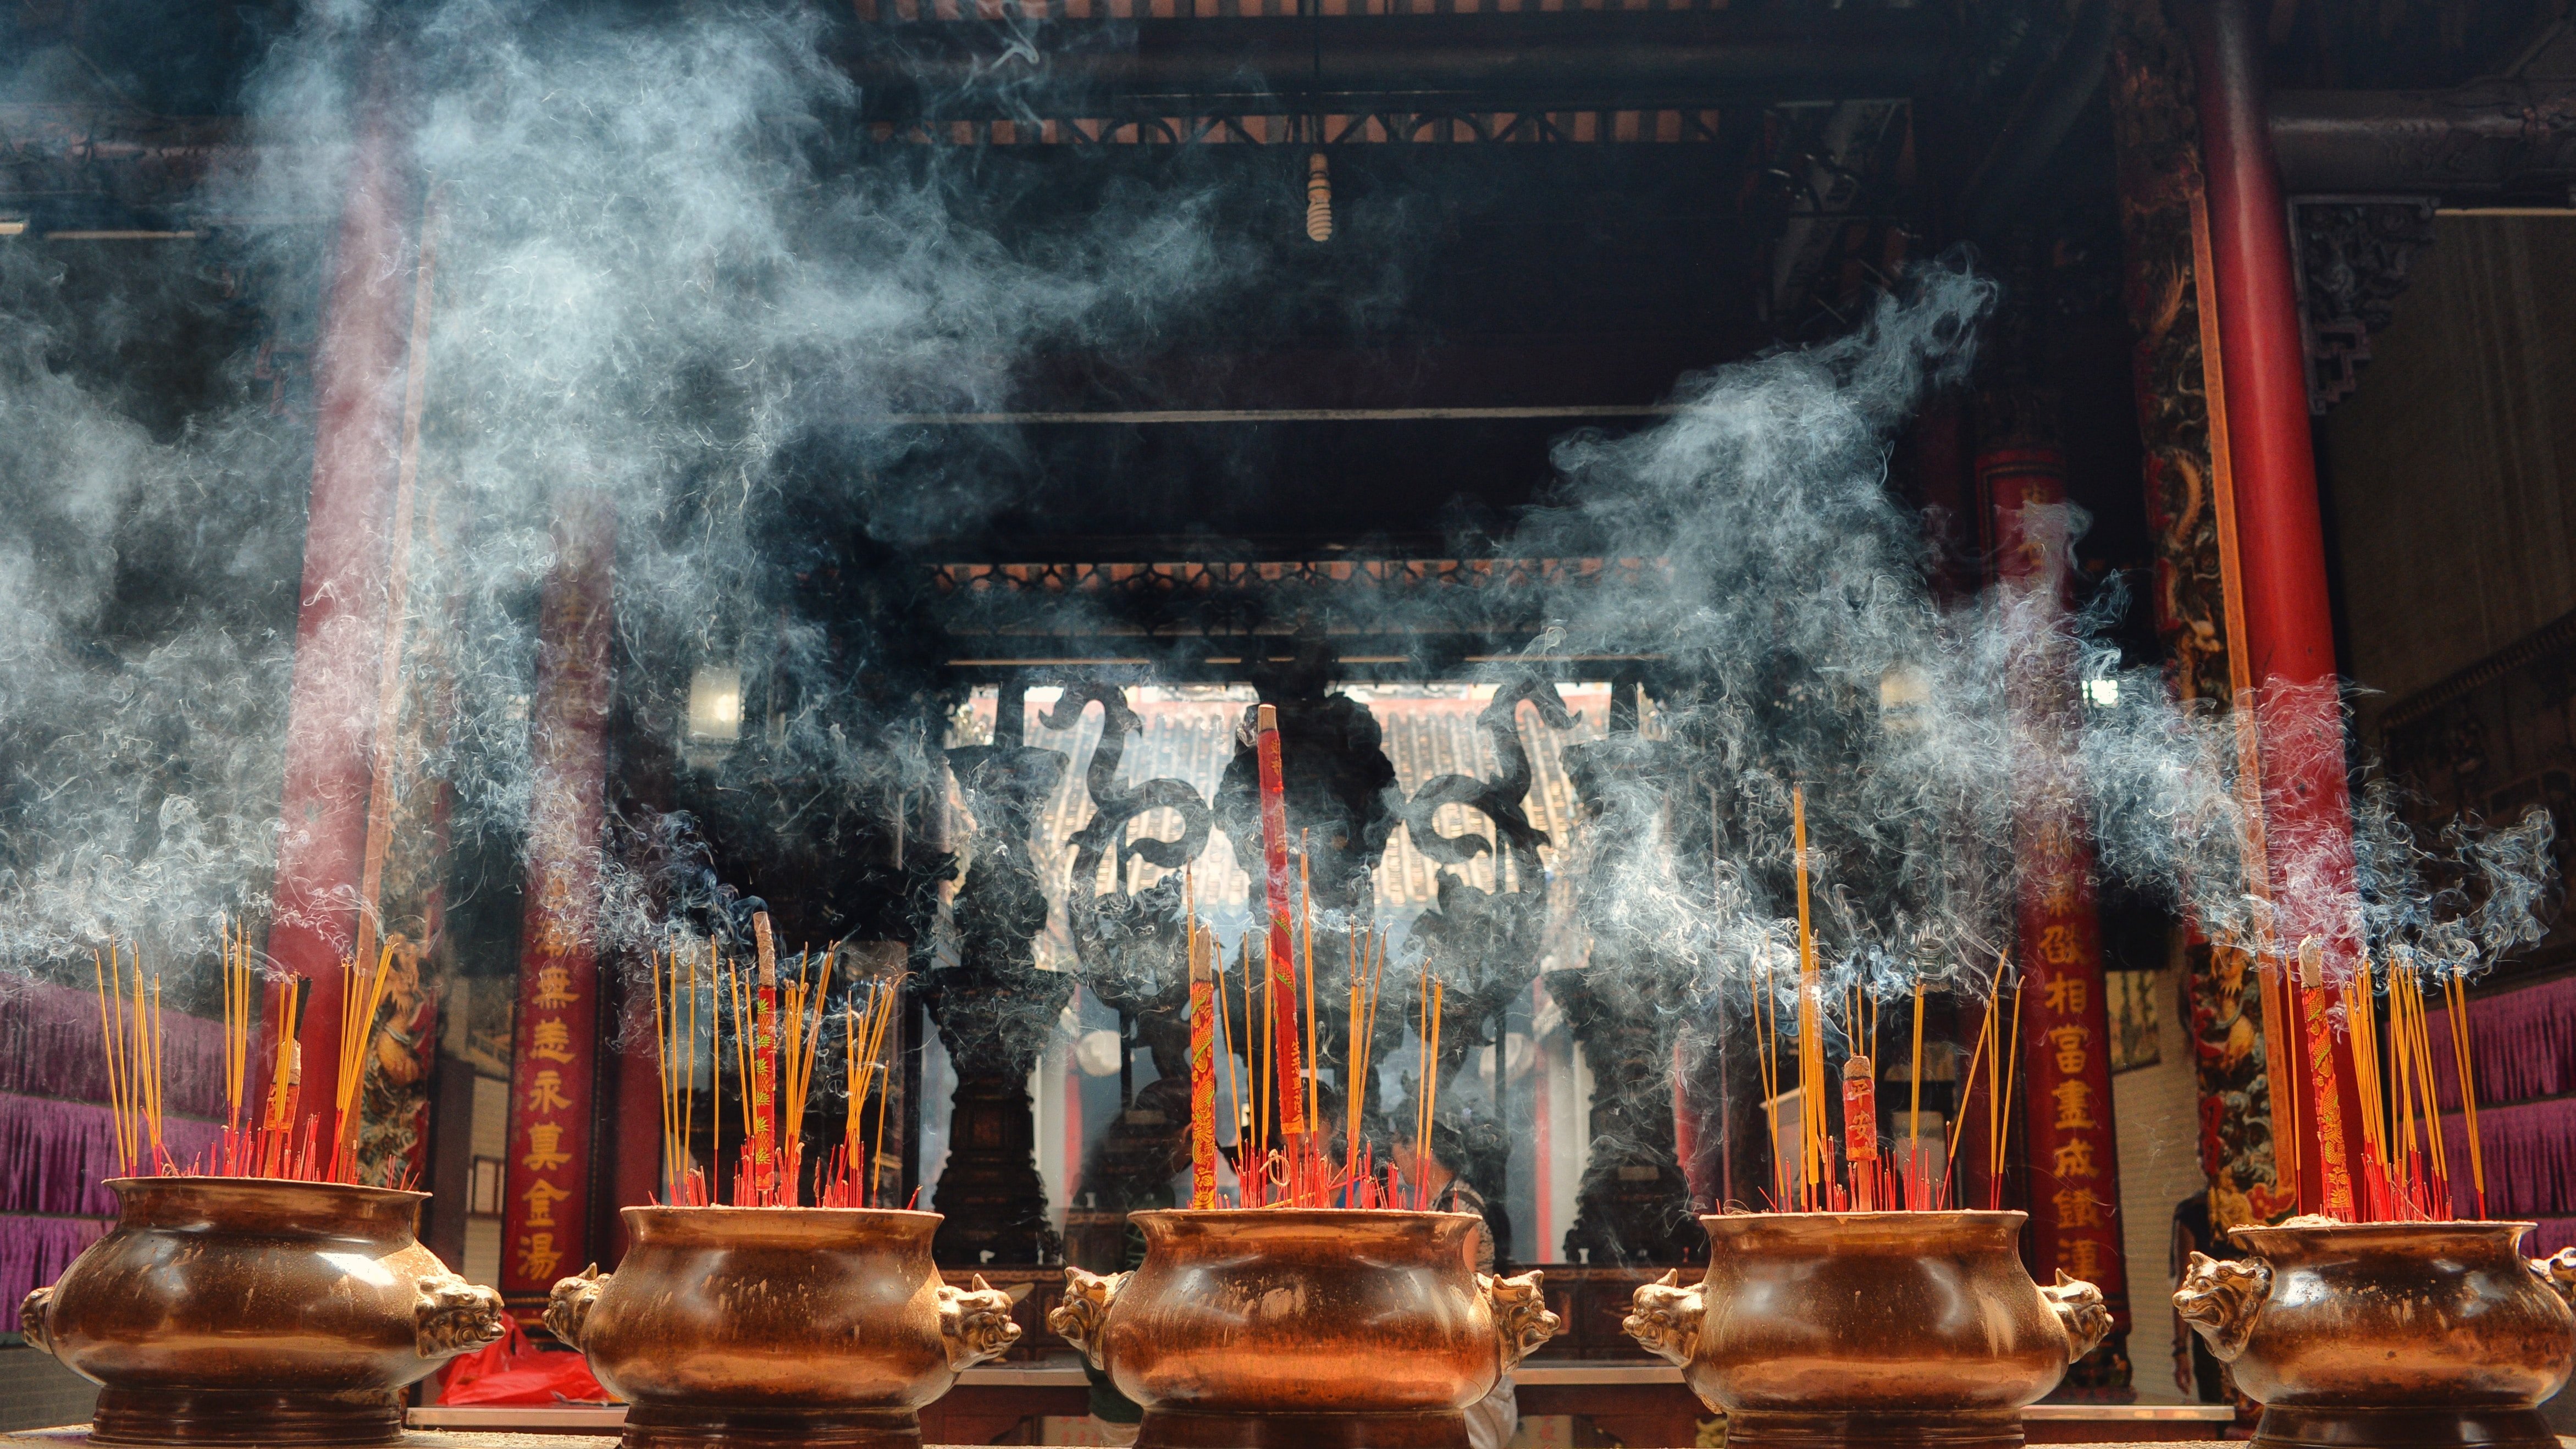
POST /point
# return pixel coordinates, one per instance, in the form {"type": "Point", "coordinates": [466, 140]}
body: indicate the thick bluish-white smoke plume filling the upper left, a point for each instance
{"type": "Point", "coordinates": [650, 295]}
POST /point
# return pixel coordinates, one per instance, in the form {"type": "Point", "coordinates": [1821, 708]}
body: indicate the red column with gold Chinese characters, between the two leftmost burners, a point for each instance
{"type": "Point", "coordinates": [555, 1067]}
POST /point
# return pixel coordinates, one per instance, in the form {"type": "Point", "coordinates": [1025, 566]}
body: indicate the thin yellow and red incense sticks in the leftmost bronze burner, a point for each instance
{"type": "Point", "coordinates": [279, 1144]}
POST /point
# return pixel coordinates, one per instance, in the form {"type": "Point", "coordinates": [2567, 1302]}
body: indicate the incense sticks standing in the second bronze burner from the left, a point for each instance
{"type": "Point", "coordinates": [777, 1031]}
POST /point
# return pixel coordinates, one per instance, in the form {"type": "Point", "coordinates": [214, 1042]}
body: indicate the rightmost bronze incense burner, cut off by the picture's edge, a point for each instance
{"type": "Point", "coordinates": [2382, 1334]}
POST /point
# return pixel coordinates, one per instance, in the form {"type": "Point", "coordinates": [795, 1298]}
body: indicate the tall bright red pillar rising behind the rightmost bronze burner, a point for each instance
{"type": "Point", "coordinates": [2281, 557]}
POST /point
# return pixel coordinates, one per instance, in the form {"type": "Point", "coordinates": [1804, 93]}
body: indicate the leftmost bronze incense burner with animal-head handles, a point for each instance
{"type": "Point", "coordinates": [256, 1311]}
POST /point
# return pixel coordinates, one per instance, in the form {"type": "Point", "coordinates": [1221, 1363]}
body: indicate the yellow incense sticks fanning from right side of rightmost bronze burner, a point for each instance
{"type": "Point", "coordinates": [2407, 1180]}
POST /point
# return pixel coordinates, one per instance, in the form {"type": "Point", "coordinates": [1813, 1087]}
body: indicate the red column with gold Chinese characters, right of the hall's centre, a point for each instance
{"type": "Point", "coordinates": [2072, 1154]}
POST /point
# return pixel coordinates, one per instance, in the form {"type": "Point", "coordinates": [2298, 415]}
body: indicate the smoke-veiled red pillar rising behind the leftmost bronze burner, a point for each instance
{"type": "Point", "coordinates": [344, 593]}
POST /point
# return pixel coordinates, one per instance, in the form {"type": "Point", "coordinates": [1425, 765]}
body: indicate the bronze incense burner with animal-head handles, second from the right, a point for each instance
{"type": "Point", "coordinates": [1902, 1329]}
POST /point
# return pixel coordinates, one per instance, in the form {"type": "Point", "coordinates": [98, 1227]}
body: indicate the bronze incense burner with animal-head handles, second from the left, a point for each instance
{"type": "Point", "coordinates": [815, 1327]}
